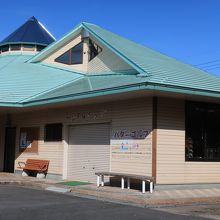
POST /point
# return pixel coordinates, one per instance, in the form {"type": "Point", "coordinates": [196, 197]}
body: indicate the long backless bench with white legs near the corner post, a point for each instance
{"type": "Point", "coordinates": [123, 176]}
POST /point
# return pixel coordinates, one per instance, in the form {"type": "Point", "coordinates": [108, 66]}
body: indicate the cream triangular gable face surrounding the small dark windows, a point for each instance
{"type": "Point", "coordinates": [104, 61]}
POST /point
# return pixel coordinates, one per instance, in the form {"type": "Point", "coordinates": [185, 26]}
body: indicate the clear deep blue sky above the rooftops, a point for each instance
{"type": "Point", "coordinates": [185, 29]}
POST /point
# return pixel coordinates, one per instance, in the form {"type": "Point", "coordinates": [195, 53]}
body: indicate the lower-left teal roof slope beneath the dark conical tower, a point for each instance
{"type": "Point", "coordinates": [20, 80]}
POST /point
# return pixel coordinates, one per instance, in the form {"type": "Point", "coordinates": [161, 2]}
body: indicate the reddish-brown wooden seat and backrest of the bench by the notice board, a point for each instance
{"type": "Point", "coordinates": [34, 165]}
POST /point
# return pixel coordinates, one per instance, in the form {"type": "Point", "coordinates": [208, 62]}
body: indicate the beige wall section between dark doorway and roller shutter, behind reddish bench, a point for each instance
{"type": "Point", "coordinates": [52, 151]}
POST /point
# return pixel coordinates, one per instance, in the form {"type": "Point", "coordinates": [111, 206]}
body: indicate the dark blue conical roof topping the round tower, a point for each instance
{"type": "Point", "coordinates": [31, 32]}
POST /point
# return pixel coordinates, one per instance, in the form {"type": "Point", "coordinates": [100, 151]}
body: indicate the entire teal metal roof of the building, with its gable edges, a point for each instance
{"type": "Point", "coordinates": [25, 80]}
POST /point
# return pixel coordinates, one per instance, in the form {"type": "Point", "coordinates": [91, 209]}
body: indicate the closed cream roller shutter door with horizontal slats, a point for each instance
{"type": "Point", "coordinates": [89, 151]}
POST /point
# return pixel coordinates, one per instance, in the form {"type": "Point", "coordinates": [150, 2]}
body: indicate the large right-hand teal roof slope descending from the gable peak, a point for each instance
{"type": "Point", "coordinates": [158, 67]}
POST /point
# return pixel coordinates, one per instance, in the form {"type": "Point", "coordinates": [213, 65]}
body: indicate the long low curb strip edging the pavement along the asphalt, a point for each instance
{"type": "Point", "coordinates": [146, 202]}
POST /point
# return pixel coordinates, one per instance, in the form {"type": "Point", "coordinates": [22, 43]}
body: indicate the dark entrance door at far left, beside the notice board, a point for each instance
{"type": "Point", "coordinates": [9, 156]}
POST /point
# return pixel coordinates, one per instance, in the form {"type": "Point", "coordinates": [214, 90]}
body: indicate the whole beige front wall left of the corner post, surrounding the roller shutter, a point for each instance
{"type": "Point", "coordinates": [125, 116]}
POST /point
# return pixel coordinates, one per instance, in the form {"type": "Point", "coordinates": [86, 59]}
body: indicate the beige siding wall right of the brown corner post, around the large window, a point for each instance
{"type": "Point", "coordinates": [171, 165]}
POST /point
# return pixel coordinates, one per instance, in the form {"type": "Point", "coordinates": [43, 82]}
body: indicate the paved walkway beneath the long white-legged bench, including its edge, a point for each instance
{"type": "Point", "coordinates": [159, 197]}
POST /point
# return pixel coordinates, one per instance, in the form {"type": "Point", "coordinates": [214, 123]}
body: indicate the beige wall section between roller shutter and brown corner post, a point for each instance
{"type": "Point", "coordinates": [131, 118]}
